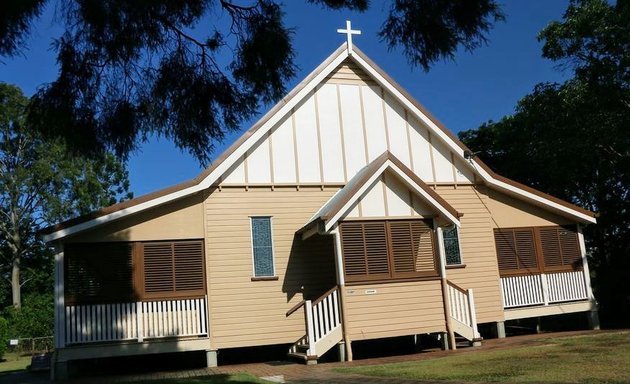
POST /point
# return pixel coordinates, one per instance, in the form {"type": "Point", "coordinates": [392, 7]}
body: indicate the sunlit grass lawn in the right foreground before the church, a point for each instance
{"type": "Point", "coordinates": [596, 358]}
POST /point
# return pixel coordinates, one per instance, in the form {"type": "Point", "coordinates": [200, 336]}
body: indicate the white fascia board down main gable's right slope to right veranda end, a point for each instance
{"type": "Point", "coordinates": [459, 151]}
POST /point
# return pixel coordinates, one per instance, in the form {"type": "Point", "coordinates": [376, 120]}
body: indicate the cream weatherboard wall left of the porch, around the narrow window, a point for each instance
{"type": "Point", "coordinates": [245, 312]}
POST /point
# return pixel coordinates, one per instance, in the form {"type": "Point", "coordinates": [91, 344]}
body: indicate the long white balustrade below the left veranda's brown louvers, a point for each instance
{"type": "Point", "coordinates": [135, 321]}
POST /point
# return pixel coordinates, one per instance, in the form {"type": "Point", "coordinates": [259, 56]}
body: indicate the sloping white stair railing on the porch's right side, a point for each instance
{"type": "Point", "coordinates": [462, 313]}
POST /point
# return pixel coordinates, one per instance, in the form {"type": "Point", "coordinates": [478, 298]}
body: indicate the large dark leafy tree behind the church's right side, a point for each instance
{"type": "Point", "coordinates": [573, 139]}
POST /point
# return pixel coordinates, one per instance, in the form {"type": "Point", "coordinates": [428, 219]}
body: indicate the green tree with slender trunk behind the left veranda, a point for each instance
{"type": "Point", "coordinates": [41, 184]}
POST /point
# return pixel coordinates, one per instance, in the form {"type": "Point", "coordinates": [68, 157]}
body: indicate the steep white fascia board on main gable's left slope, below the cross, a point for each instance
{"type": "Point", "coordinates": [273, 120]}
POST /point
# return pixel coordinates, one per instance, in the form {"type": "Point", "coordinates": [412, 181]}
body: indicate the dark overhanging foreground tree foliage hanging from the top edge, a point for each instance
{"type": "Point", "coordinates": [133, 68]}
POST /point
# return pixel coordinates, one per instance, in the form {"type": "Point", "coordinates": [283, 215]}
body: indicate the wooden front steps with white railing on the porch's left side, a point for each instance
{"type": "Point", "coordinates": [323, 327]}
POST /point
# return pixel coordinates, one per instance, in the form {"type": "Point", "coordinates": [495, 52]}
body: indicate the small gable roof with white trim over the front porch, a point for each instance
{"type": "Point", "coordinates": [342, 201]}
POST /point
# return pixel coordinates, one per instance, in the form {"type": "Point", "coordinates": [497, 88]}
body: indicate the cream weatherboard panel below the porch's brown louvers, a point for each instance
{"type": "Point", "coordinates": [394, 309]}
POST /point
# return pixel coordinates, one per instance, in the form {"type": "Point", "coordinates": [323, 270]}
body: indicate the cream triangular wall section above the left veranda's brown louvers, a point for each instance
{"type": "Point", "coordinates": [180, 219]}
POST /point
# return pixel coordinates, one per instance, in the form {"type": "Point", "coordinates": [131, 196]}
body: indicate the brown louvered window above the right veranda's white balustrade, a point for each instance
{"type": "Point", "coordinates": [537, 249]}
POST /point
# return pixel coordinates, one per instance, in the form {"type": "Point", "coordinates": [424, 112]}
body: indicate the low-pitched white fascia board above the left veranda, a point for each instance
{"type": "Point", "coordinates": [119, 214]}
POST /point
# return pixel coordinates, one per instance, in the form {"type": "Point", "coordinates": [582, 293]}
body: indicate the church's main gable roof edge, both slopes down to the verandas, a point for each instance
{"type": "Point", "coordinates": [223, 163]}
